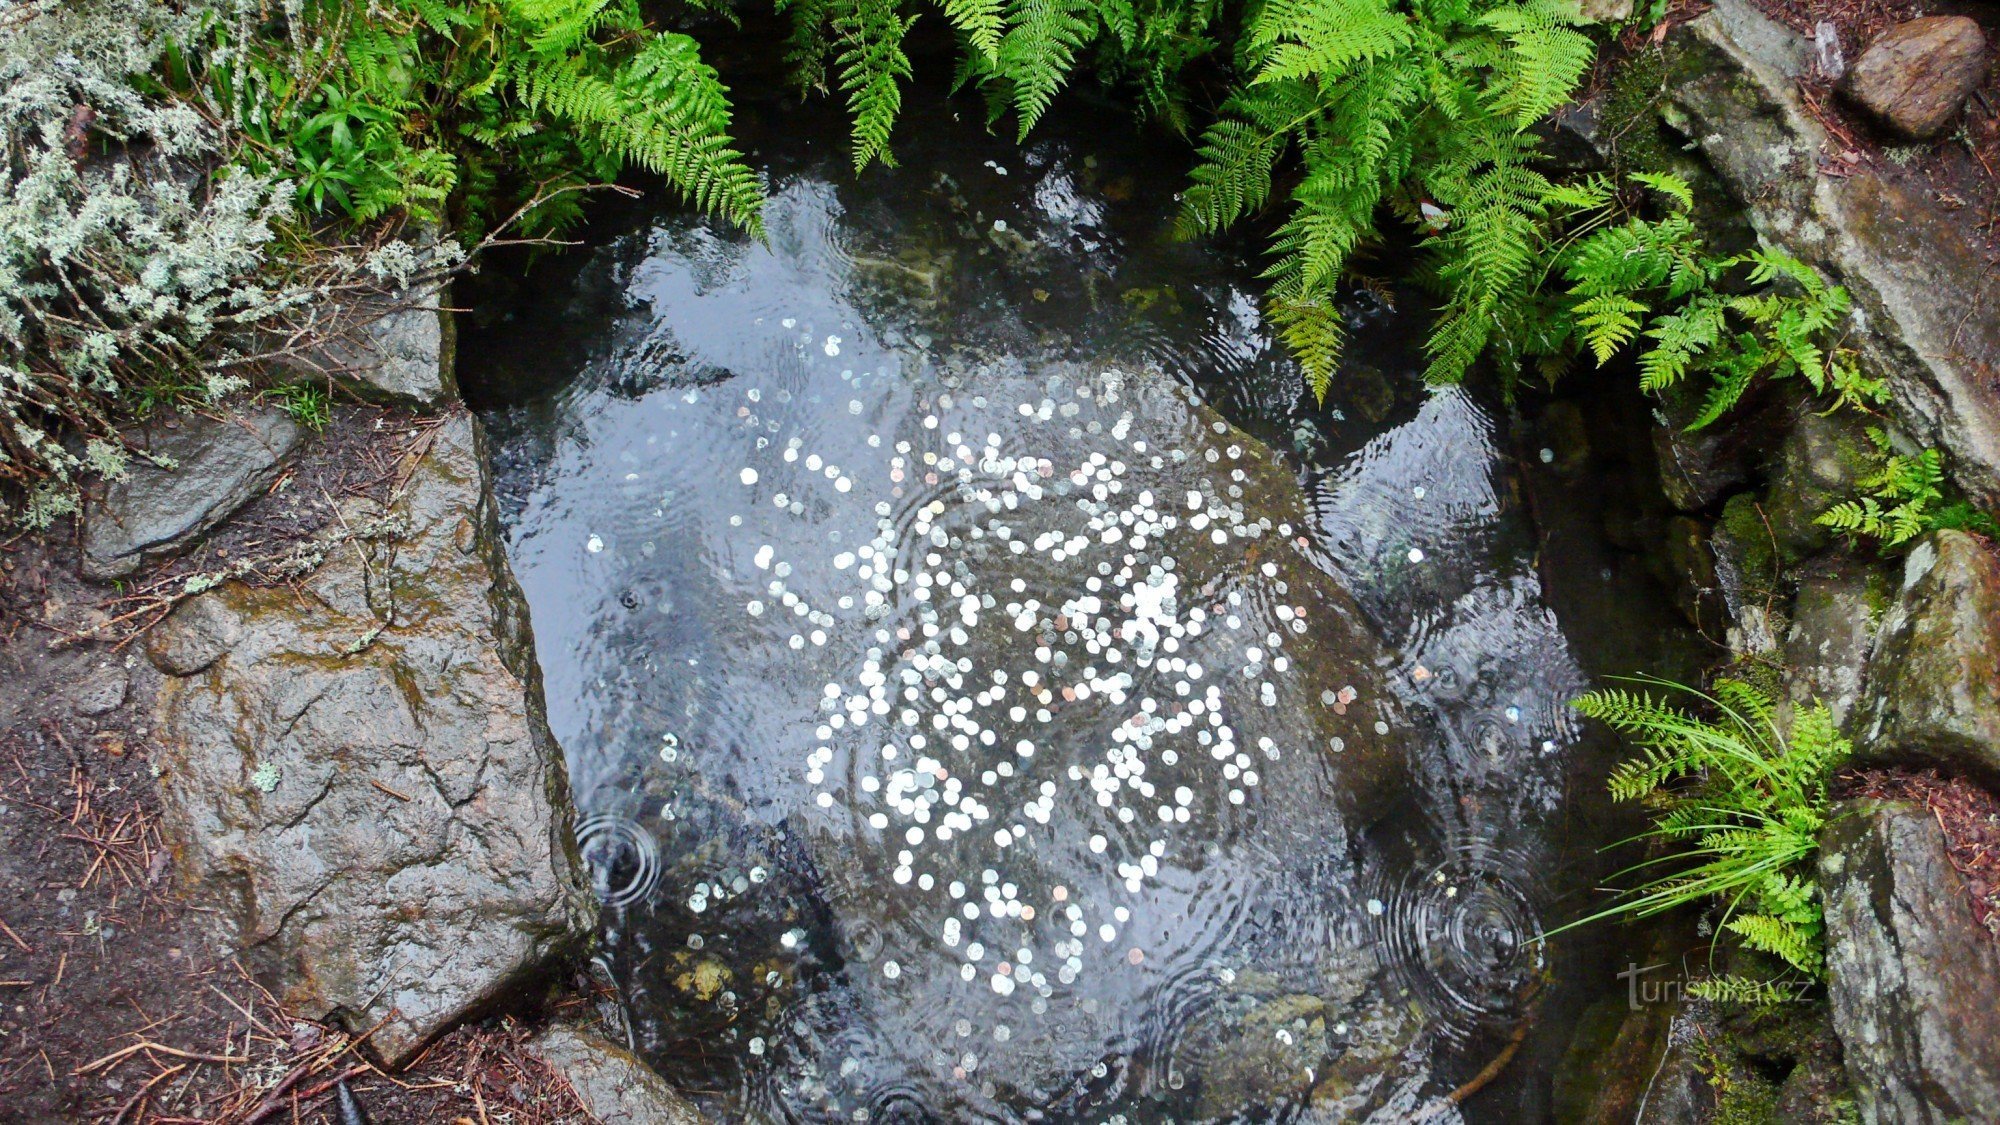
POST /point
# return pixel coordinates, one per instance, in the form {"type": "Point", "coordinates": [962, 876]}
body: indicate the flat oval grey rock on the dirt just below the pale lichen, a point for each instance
{"type": "Point", "coordinates": [213, 467]}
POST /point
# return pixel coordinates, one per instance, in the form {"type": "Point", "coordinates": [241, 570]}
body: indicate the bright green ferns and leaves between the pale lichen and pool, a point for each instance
{"type": "Point", "coordinates": [373, 109]}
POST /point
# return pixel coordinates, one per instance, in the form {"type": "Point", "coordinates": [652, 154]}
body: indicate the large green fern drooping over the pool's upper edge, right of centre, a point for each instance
{"type": "Point", "coordinates": [1421, 107]}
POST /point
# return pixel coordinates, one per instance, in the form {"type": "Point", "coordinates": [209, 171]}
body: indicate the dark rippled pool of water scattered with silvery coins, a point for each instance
{"type": "Point", "coordinates": [993, 694]}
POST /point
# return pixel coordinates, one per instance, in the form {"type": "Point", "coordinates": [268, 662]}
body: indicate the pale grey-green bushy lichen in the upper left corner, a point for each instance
{"type": "Point", "coordinates": [129, 245]}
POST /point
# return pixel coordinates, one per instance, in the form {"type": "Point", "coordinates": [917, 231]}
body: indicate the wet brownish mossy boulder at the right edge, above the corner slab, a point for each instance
{"type": "Point", "coordinates": [1933, 682]}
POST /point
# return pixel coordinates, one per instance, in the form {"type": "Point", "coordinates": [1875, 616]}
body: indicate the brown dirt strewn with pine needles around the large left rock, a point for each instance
{"type": "Point", "coordinates": [115, 1000]}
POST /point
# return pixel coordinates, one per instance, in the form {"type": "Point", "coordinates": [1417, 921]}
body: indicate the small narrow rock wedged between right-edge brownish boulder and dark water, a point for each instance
{"type": "Point", "coordinates": [1833, 632]}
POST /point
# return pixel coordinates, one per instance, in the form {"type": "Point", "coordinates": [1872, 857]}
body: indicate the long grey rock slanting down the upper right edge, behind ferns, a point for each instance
{"type": "Point", "coordinates": [1927, 313]}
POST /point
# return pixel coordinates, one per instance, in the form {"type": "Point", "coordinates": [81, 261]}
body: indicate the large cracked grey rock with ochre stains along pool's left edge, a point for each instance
{"type": "Point", "coordinates": [359, 778]}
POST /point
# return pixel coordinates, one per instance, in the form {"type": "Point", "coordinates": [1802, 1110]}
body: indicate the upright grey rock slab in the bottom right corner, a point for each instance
{"type": "Point", "coordinates": [1911, 976]}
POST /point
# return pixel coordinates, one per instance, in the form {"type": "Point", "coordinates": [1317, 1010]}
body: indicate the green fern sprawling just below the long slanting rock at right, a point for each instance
{"type": "Point", "coordinates": [1739, 319]}
